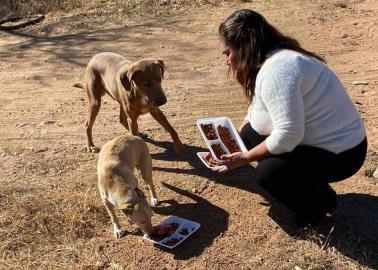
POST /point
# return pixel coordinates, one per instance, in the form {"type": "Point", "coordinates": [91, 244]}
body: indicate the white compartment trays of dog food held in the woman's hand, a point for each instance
{"type": "Point", "coordinates": [221, 137]}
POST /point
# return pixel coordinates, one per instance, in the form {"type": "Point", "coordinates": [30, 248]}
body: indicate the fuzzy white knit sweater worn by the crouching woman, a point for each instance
{"type": "Point", "coordinates": [299, 100]}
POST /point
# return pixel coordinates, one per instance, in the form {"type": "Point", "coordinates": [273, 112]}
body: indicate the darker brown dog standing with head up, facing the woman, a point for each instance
{"type": "Point", "coordinates": [135, 86]}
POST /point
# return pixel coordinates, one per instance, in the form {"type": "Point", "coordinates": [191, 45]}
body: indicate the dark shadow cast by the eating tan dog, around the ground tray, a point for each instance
{"type": "Point", "coordinates": [213, 220]}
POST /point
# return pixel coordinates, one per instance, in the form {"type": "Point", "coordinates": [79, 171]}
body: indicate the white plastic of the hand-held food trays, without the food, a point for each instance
{"type": "Point", "coordinates": [226, 122]}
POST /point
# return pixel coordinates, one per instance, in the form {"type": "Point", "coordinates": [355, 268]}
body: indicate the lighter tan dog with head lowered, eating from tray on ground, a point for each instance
{"type": "Point", "coordinates": [118, 185]}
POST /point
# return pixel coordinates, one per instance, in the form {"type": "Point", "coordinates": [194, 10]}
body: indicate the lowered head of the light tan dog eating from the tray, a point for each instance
{"type": "Point", "coordinates": [139, 212]}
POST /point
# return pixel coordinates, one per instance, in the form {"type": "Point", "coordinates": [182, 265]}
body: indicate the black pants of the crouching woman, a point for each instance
{"type": "Point", "coordinates": [300, 179]}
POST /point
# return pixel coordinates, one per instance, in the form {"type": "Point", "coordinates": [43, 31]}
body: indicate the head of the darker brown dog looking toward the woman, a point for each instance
{"type": "Point", "coordinates": [145, 78]}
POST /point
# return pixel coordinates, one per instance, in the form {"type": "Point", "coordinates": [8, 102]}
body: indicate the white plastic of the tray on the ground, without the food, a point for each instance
{"type": "Point", "coordinates": [191, 226]}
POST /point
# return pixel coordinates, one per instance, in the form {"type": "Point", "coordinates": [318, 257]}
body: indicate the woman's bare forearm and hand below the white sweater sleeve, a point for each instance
{"type": "Point", "coordinates": [239, 159]}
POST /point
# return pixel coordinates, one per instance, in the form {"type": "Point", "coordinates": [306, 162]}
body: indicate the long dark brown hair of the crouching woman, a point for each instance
{"type": "Point", "coordinates": [248, 33]}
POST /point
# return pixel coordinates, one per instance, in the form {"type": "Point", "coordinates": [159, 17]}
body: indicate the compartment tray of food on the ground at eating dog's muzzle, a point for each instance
{"type": "Point", "coordinates": [172, 231]}
